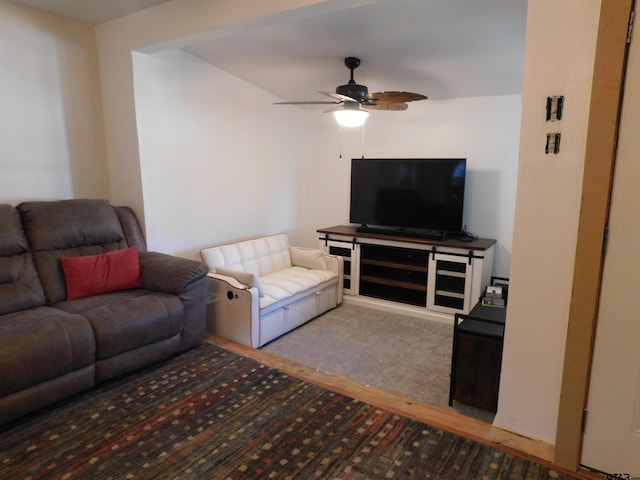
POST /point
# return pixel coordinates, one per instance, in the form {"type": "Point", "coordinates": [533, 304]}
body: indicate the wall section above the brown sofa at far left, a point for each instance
{"type": "Point", "coordinates": [51, 128]}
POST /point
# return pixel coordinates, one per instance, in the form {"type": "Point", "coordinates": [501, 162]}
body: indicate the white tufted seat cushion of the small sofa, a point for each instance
{"type": "Point", "coordinates": [291, 281]}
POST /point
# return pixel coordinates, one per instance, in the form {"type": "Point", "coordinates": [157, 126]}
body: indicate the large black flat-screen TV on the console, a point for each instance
{"type": "Point", "coordinates": [416, 194]}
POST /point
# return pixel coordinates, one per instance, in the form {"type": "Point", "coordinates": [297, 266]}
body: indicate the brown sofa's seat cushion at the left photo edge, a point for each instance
{"type": "Point", "coordinates": [41, 344]}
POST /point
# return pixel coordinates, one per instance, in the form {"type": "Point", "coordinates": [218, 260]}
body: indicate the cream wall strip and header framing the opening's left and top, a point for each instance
{"type": "Point", "coordinates": [153, 29]}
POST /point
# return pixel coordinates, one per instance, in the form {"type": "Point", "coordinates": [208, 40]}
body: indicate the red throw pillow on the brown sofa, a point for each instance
{"type": "Point", "coordinates": [95, 274]}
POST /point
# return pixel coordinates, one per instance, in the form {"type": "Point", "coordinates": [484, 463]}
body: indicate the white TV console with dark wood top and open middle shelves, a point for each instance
{"type": "Point", "coordinates": [390, 269]}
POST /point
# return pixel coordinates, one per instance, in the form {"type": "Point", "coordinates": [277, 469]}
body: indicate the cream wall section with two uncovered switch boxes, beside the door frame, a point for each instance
{"type": "Point", "coordinates": [559, 61]}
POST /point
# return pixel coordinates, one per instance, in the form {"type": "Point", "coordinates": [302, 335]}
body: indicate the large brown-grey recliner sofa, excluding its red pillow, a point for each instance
{"type": "Point", "coordinates": [52, 347]}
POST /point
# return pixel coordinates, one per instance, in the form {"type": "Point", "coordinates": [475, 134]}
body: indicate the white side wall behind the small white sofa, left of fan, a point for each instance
{"type": "Point", "coordinates": [218, 162]}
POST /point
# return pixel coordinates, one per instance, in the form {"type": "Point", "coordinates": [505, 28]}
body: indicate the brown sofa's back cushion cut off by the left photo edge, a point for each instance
{"type": "Point", "coordinates": [20, 287]}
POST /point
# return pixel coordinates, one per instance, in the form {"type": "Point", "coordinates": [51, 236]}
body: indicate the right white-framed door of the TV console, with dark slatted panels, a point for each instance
{"type": "Point", "coordinates": [449, 283]}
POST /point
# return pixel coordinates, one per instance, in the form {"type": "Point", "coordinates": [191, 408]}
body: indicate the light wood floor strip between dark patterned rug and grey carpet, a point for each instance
{"type": "Point", "coordinates": [539, 451]}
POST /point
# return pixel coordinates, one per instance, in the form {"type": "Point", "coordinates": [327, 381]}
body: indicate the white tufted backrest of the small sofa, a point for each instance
{"type": "Point", "coordinates": [260, 256]}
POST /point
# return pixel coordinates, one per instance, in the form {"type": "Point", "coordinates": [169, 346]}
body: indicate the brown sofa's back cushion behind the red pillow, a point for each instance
{"type": "Point", "coordinates": [68, 228]}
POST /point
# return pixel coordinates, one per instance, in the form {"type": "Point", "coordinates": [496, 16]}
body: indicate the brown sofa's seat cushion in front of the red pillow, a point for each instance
{"type": "Point", "coordinates": [126, 320]}
